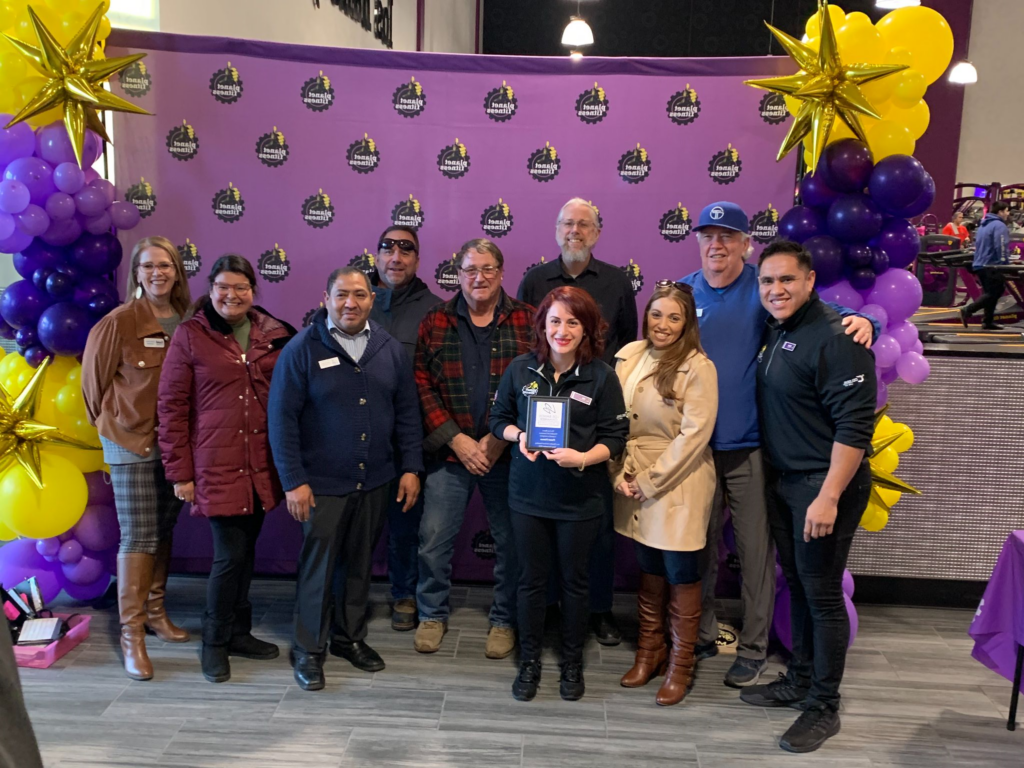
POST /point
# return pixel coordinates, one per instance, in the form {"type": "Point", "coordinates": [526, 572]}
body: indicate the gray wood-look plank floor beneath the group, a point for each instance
{"type": "Point", "coordinates": [913, 697]}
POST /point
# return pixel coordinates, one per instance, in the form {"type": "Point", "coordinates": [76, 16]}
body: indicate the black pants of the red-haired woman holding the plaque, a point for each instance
{"type": "Point", "coordinates": [541, 542]}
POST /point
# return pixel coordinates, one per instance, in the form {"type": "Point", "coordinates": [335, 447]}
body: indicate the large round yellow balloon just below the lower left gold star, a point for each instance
{"type": "Point", "coordinates": [44, 514]}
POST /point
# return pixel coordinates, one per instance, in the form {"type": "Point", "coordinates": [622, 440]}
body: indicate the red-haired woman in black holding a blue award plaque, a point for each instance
{"type": "Point", "coordinates": [565, 408]}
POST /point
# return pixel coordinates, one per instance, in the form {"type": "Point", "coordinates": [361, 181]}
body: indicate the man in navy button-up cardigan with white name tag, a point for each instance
{"type": "Point", "coordinates": [343, 404]}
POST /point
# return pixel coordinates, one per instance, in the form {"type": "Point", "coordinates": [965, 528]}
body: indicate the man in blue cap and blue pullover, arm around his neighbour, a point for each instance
{"type": "Point", "coordinates": [733, 321]}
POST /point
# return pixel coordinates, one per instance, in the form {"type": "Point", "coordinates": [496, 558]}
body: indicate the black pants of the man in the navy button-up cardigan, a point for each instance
{"type": "Point", "coordinates": [334, 568]}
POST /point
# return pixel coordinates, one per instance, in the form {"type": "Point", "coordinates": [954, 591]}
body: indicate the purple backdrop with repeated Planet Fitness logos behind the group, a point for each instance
{"type": "Point", "coordinates": [298, 157]}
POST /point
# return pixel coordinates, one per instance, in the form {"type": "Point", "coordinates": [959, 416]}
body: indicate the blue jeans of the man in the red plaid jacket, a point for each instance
{"type": "Point", "coordinates": [447, 492]}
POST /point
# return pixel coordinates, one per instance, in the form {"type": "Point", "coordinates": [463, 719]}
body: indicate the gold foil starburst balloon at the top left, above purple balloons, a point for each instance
{"type": "Point", "coordinates": [73, 81]}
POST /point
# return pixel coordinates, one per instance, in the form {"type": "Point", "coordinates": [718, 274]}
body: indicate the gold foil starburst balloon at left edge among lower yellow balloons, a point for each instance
{"type": "Point", "coordinates": [22, 436]}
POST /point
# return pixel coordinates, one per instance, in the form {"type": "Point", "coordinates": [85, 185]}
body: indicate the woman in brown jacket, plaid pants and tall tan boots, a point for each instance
{"type": "Point", "coordinates": [120, 374]}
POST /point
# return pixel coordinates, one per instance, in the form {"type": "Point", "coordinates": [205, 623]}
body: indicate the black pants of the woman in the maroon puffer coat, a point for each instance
{"type": "Point", "coordinates": [228, 609]}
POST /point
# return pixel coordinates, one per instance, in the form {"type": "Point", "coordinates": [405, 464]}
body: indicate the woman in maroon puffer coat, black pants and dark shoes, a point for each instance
{"type": "Point", "coordinates": [214, 440]}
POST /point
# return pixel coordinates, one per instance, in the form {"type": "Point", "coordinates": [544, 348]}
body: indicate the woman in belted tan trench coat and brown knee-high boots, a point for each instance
{"type": "Point", "coordinates": [665, 483]}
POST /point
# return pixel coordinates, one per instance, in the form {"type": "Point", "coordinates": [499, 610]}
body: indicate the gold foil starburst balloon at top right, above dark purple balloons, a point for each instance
{"type": "Point", "coordinates": [827, 89]}
